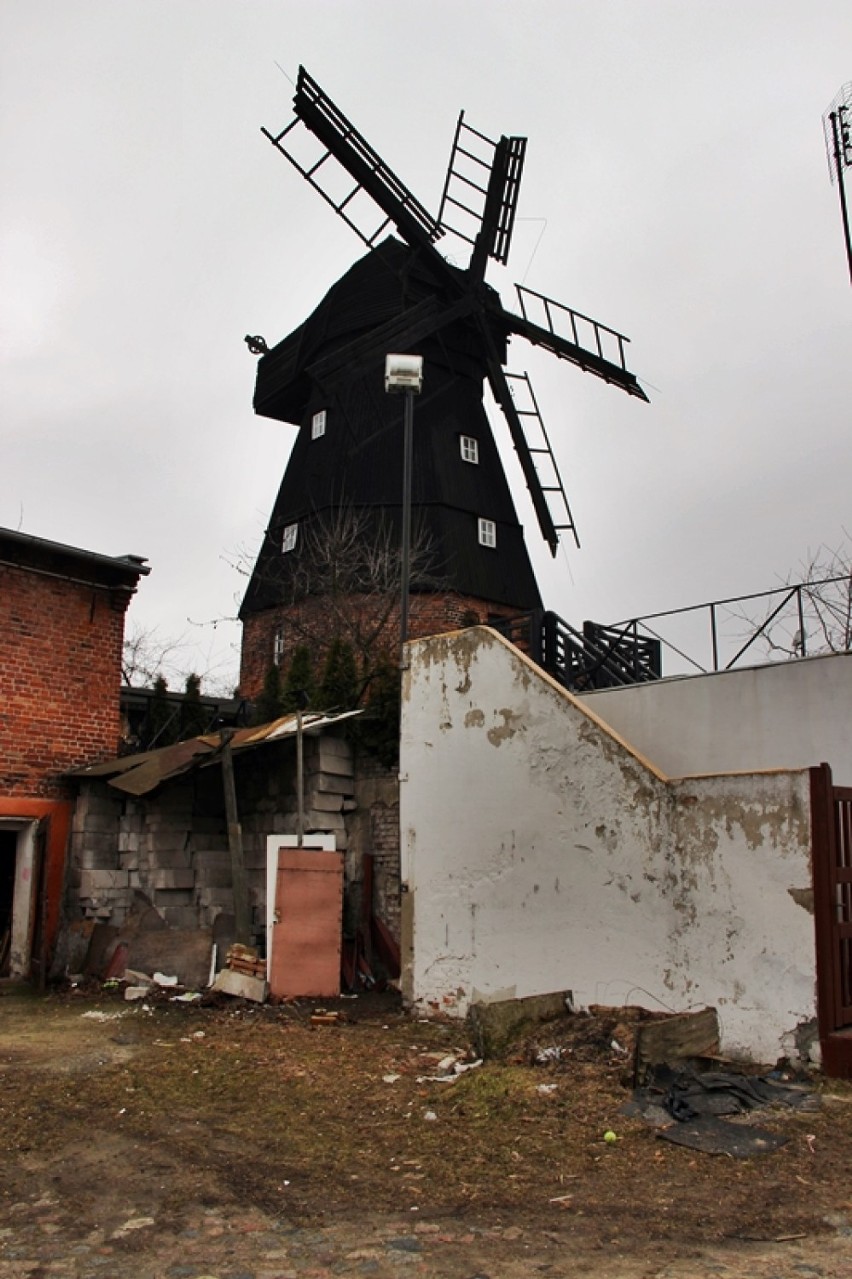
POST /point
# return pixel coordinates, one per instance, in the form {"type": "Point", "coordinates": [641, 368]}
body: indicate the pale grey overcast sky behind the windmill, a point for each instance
{"type": "Point", "coordinates": [676, 167]}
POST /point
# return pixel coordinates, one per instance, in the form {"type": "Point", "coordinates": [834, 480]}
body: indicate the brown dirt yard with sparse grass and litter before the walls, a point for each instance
{"type": "Point", "coordinates": [166, 1111]}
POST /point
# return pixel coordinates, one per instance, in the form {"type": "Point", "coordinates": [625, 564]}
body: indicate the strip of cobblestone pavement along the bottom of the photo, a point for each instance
{"type": "Point", "coordinates": [216, 1245]}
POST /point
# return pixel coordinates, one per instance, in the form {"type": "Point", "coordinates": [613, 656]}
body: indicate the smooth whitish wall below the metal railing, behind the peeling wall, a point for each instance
{"type": "Point", "coordinates": [787, 716]}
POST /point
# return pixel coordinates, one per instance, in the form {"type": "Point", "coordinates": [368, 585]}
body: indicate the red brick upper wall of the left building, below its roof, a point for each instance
{"type": "Point", "coordinates": [61, 672]}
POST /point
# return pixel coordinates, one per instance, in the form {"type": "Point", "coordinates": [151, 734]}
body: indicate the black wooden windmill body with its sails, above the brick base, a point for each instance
{"type": "Point", "coordinates": [405, 296]}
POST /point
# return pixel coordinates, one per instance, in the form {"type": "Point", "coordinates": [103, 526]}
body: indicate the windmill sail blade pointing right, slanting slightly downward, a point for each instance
{"type": "Point", "coordinates": [572, 336]}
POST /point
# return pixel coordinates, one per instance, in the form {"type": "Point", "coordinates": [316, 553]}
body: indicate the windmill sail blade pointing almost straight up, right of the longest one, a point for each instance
{"type": "Point", "coordinates": [480, 195]}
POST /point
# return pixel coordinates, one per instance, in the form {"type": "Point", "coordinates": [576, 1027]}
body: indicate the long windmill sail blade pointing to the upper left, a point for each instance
{"type": "Point", "coordinates": [346, 146]}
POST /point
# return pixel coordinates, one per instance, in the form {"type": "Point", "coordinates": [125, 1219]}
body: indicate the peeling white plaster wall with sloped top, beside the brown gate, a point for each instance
{"type": "Point", "coordinates": [542, 854]}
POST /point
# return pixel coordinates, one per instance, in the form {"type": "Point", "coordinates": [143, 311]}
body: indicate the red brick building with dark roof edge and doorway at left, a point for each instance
{"type": "Point", "coordinates": [62, 629]}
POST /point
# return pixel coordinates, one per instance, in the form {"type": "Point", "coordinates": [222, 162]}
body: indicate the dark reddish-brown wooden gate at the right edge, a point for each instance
{"type": "Point", "coordinates": [832, 818]}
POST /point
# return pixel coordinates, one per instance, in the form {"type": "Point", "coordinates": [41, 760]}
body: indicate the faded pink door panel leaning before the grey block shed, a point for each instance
{"type": "Point", "coordinates": [309, 924]}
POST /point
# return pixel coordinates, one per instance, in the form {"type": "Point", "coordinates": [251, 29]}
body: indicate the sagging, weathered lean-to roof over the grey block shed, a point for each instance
{"type": "Point", "coordinates": [140, 774]}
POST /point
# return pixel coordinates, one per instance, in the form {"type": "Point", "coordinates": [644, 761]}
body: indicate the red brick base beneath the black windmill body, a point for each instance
{"type": "Point", "coordinates": [314, 624]}
